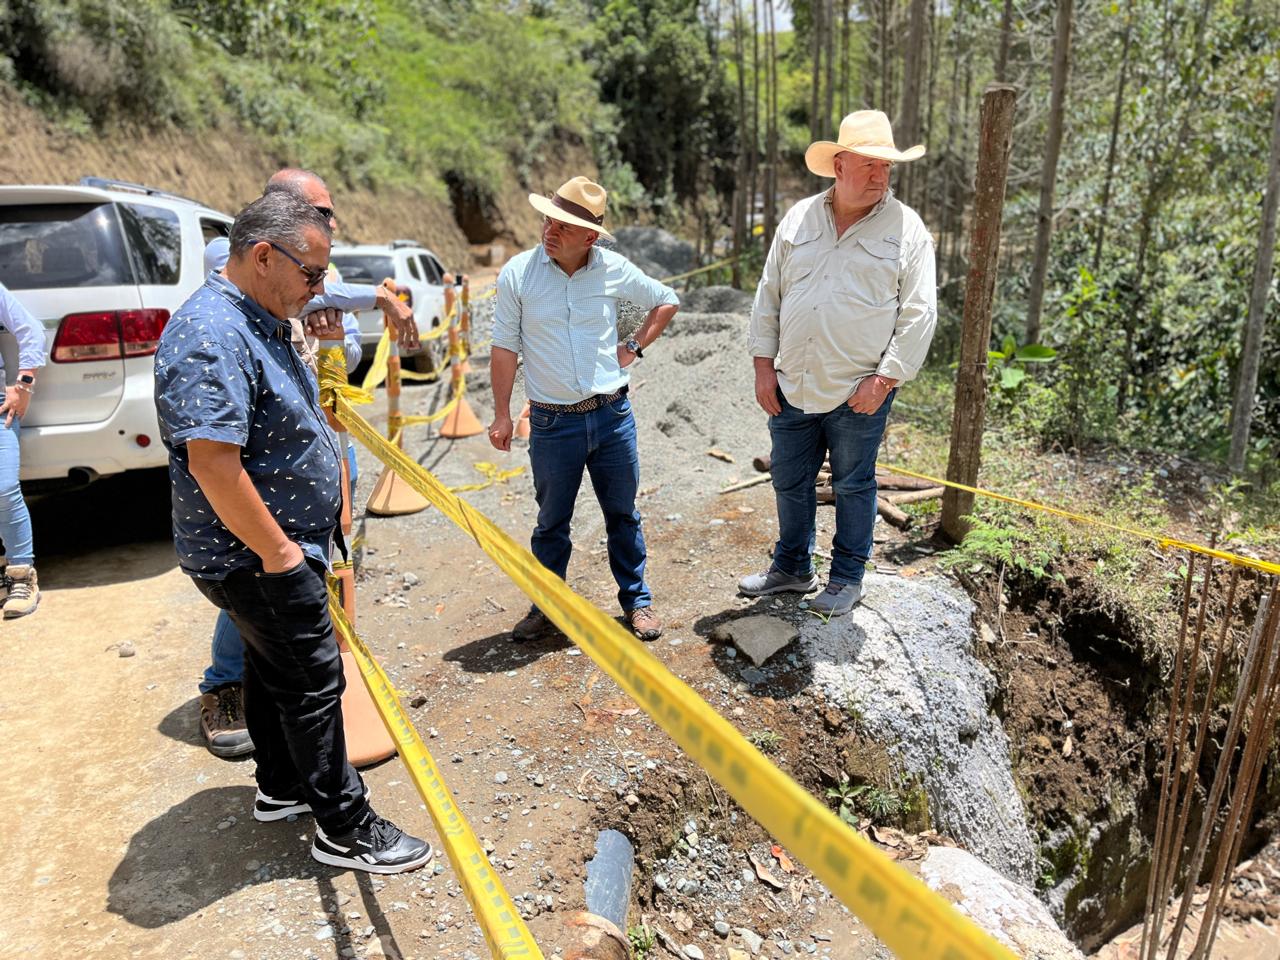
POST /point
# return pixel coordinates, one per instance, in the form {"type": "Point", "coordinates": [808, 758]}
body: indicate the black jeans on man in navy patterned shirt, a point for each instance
{"type": "Point", "coordinates": [294, 689]}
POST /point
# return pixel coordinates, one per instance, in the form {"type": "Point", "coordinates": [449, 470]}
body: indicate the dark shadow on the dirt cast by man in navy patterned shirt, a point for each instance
{"type": "Point", "coordinates": [181, 863]}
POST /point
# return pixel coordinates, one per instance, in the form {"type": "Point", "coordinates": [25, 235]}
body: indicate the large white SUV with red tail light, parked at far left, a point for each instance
{"type": "Point", "coordinates": [103, 266]}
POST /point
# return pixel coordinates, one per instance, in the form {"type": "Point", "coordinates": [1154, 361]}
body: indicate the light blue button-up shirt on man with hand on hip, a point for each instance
{"type": "Point", "coordinates": [568, 327]}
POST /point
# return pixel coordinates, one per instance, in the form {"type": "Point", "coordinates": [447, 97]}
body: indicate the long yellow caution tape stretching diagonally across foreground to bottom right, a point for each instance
{"type": "Point", "coordinates": [916, 922]}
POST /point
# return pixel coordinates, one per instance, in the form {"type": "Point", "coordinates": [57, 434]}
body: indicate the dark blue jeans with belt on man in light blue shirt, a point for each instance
{"type": "Point", "coordinates": [604, 442]}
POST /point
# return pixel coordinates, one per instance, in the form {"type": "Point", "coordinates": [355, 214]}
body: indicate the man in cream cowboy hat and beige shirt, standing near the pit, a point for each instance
{"type": "Point", "coordinates": [844, 314]}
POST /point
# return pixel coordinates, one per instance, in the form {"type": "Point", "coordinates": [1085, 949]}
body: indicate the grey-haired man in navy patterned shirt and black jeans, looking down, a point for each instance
{"type": "Point", "coordinates": [255, 473]}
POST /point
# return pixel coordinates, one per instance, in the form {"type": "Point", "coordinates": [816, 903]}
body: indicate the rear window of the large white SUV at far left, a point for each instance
{"type": "Point", "coordinates": [62, 245]}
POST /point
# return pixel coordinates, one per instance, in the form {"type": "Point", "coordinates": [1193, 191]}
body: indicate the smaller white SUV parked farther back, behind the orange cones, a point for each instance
{"type": "Point", "coordinates": [410, 266]}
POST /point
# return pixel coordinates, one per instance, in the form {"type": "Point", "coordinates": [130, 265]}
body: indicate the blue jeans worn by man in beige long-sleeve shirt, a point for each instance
{"type": "Point", "coordinates": [801, 444]}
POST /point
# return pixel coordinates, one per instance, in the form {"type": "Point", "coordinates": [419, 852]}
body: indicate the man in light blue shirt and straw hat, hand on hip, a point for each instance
{"type": "Point", "coordinates": [557, 304]}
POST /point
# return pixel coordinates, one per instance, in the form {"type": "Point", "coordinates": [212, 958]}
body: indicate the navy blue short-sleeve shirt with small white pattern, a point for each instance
{"type": "Point", "coordinates": [227, 372]}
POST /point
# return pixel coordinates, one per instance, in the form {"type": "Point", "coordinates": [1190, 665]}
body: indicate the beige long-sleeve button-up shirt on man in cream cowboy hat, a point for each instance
{"type": "Point", "coordinates": [833, 310]}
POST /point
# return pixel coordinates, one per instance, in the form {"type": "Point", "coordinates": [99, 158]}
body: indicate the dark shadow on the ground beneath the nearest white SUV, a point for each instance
{"type": "Point", "coordinates": [127, 515]}
